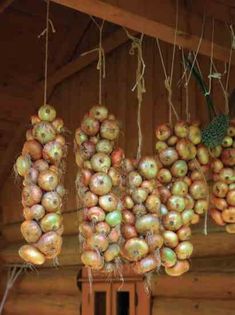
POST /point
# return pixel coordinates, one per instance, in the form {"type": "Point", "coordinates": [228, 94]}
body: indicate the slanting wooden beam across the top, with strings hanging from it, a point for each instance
{"type": "Point", "coordinates": [151, 18]}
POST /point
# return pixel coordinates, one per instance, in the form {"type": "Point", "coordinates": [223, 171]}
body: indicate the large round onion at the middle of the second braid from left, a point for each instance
{"type": "Point", "coordinates": [100, 184]}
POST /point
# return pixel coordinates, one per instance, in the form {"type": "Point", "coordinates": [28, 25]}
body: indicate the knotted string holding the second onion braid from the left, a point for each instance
{"type": "Point", "coordinates": [101, 57]}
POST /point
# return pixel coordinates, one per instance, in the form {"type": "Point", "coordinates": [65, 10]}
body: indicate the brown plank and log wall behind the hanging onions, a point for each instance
{"type": "Point", "coordinates": [209, 287]}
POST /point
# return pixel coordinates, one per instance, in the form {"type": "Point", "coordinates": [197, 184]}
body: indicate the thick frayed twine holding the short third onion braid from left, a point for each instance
{"type": "Point", "coordinates": [137, 46]}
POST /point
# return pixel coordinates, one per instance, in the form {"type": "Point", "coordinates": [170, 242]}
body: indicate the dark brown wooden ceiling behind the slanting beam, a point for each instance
{"type": "Point", "coordinates": [22, 52]}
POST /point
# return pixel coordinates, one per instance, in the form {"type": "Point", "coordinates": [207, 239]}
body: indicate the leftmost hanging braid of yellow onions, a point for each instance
{"type": "Point", "coordinates": [41, 164]}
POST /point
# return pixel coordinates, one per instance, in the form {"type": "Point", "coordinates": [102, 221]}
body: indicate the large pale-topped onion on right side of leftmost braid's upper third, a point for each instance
{"type": "Point", "coordinates": [53, 152]}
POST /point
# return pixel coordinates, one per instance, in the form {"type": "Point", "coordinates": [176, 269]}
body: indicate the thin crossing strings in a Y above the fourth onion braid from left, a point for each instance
{"type": "Point", "coordinates": [169, 79]}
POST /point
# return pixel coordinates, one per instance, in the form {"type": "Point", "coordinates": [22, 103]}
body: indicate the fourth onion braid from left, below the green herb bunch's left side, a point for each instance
{"type": "Point", "coordinates": [183, 190]}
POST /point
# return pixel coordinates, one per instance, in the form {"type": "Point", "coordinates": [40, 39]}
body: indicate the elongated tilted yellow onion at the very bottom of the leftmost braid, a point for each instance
{"type": "Point", "coordinates": [31, 255]}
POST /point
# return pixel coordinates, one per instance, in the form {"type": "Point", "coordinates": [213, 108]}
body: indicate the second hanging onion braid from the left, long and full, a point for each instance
{"type": "Point", "coordinates": [99, 186]}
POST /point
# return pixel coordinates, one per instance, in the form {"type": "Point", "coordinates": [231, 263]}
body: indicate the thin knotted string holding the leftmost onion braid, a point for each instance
{"type": "Point", "coordinates": [49, 23]}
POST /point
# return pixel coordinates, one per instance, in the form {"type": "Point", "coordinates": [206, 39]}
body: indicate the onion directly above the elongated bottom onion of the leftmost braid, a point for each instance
{"type": "Point", "coordinates": [31, 231]}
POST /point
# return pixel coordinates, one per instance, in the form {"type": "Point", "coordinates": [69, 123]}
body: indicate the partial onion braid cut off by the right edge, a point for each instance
{"type": "Point", "coordinates": [223, 188]}
